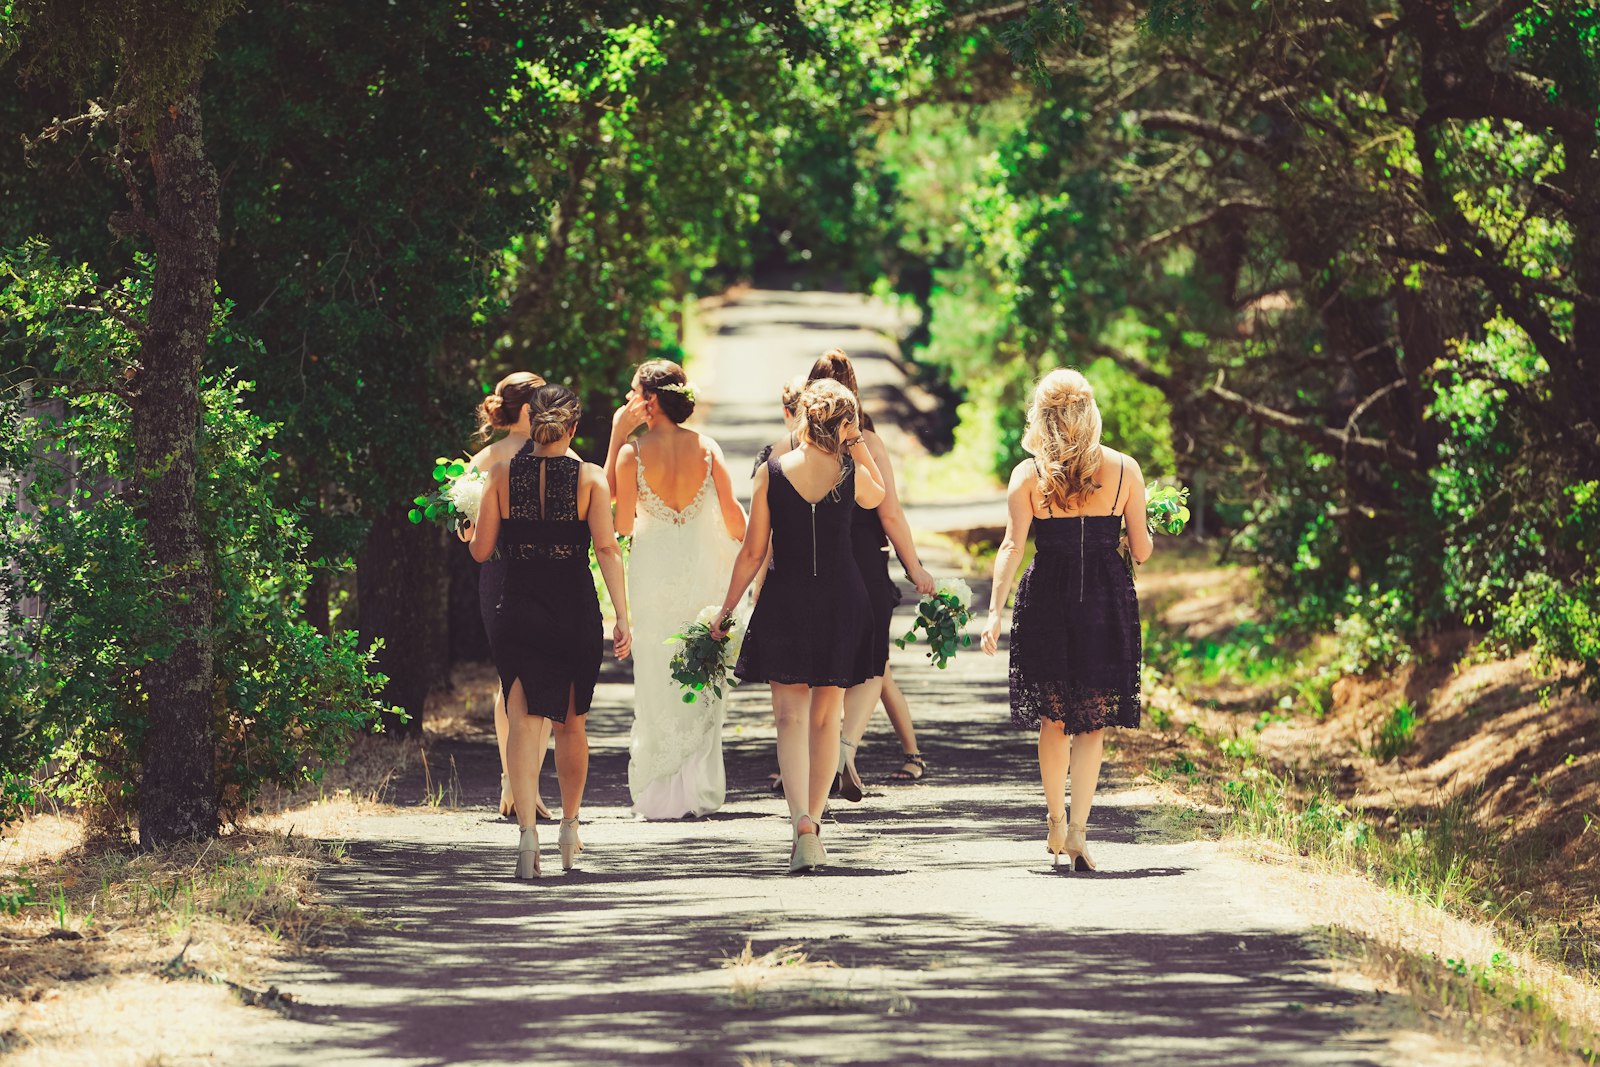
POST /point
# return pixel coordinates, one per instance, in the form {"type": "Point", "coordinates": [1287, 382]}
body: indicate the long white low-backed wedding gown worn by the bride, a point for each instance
{"type": "Point", "coordinates": [679, 564]}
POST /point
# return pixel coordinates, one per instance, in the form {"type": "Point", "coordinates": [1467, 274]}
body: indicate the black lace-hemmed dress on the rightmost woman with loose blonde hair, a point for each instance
{"type": "Point", "coordinates": [1076, 647]}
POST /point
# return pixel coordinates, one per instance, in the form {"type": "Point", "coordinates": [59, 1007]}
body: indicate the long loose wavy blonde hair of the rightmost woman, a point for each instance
{"type": "Point", "coordinates": [1063, 436]}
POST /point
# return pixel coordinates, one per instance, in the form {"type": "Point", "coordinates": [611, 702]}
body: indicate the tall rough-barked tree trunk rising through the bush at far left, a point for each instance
{"type": "Point", "coordinates": [178, 786]}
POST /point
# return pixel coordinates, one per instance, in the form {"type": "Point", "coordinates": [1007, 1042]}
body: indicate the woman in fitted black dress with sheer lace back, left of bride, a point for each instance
{"type": "Point", "coordinates": [543, 510]}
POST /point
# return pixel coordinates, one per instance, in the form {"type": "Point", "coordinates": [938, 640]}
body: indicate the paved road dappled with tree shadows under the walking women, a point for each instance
{"type": "Point", "coordinates": [948, 933]}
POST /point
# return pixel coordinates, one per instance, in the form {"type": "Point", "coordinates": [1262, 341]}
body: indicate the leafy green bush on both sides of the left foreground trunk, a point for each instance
{"type": "Point", "coordinates": [79, 618]}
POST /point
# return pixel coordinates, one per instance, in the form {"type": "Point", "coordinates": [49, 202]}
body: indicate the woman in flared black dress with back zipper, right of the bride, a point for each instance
{"type": "Point", "coordinates": [809, 634]}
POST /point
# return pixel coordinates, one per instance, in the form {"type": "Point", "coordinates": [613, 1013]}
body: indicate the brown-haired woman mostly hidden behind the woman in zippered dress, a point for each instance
{"type": "Point", "coordinates": [873, 532]}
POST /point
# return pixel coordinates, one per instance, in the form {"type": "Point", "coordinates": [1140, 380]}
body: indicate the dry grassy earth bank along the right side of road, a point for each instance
{"type": "Point", "coordinates": [1457, 860]}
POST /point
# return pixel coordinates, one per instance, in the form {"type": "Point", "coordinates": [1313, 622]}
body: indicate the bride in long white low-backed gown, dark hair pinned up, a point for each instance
{"type": "Point", "coordinates": [676, 498]}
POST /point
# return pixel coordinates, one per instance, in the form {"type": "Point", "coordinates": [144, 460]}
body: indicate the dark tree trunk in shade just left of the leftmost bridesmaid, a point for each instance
{"type": "Point", "coordinates": [401, 597]}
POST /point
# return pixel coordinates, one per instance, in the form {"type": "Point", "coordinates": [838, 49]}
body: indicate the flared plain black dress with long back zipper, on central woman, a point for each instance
{"type": "Point", "coordinates": [810, 623]}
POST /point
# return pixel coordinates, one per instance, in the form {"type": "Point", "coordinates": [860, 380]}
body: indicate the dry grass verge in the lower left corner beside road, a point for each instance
{"type": "Point", "coordinates": [122, 957]}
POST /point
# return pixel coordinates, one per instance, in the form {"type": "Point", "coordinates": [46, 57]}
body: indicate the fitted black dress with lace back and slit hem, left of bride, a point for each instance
{"type": "Point", "coordinates": [548, 628]}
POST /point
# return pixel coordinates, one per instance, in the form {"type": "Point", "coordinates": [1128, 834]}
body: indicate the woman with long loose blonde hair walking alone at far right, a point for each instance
{"type": "Point", "coordinates": [1076, 633]}
